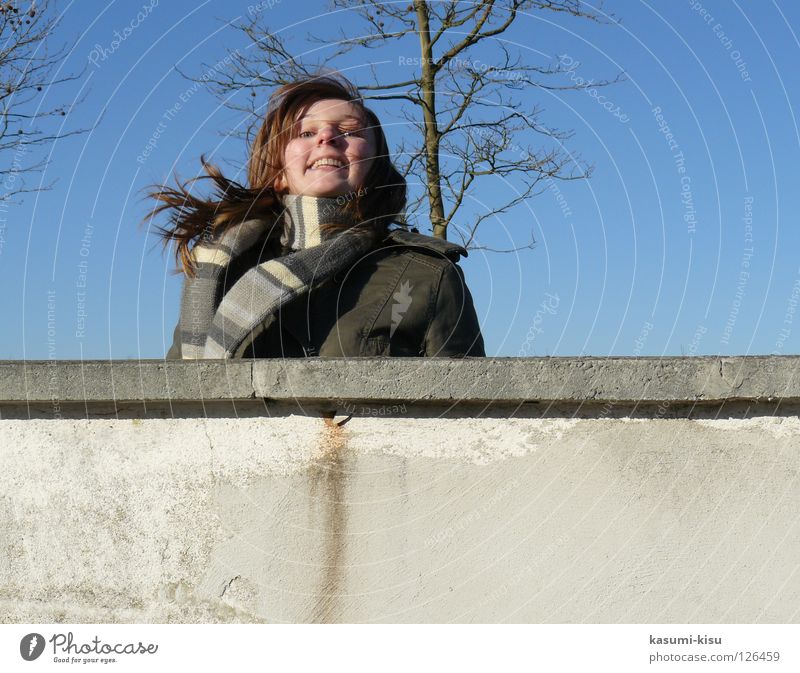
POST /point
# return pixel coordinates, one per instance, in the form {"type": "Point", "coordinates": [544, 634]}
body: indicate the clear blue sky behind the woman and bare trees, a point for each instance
{"type": "Point", "coordinates": [652, 256]}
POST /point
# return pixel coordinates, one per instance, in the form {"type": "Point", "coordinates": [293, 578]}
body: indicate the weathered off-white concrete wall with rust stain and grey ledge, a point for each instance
{"type": "Point", "coordinates": [535, 490]}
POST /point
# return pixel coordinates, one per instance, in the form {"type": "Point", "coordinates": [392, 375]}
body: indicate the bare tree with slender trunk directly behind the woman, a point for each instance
{"type": "Point", "coordinates": [469, 125]}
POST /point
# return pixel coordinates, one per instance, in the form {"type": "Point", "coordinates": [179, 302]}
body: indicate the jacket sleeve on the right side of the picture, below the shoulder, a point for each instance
{"type": "Point", "coordinates": [454, 330]}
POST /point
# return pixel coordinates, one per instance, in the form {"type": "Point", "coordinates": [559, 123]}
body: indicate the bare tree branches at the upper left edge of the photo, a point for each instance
{"type": "Point", "coordinates": [27, 63]}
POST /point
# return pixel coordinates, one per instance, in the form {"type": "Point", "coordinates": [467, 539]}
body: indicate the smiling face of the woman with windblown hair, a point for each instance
{"type": "Point", "coordinates": [330, 152]}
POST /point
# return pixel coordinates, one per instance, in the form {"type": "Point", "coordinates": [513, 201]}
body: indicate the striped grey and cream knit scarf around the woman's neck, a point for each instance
{"type": "Point", "coordinates": [217, 327]}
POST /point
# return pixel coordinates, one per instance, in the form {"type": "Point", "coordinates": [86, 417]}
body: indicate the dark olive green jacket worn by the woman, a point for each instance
{"type": "Point", "coordinates": [406, 297]}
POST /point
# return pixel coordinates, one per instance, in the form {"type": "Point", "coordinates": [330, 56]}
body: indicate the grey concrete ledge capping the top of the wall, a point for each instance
{"type": "Point", "coordinates": [439, 380]}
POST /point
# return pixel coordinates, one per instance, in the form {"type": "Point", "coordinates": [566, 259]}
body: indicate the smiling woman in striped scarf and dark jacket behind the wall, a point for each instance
{"type": "Point", "coordinates": [305, 261]}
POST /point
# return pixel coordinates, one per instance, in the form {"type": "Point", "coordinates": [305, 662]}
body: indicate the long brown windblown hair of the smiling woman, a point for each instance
{"type": "Point", "coordinates": [192, 218]}
